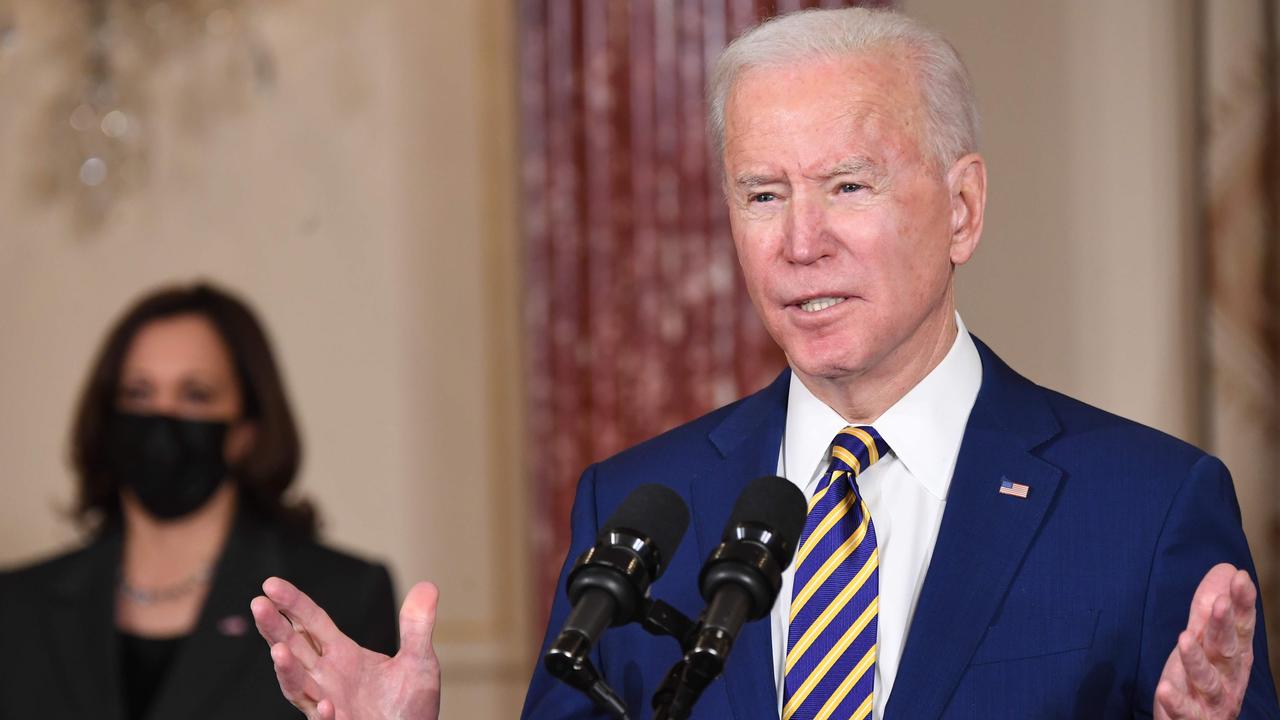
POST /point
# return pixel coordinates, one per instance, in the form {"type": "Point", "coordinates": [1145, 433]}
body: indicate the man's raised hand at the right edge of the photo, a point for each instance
{"type": "Point", "coordinates": [1208, 673]}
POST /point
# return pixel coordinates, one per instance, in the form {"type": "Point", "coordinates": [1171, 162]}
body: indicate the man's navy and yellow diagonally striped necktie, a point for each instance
{"type": "Point", "coordinates": [835, 600]}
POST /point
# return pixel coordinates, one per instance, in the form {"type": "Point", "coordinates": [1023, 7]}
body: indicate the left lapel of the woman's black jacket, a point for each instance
{"type": "Point", "coordinates": [83, 630]}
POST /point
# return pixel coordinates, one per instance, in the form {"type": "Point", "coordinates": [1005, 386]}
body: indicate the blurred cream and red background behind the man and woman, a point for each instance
{"type": "Point", "coordinates": [496, 222]}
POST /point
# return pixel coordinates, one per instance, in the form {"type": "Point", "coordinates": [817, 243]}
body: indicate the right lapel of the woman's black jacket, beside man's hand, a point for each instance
{"type": "Point", "coordinates": [225, 641]}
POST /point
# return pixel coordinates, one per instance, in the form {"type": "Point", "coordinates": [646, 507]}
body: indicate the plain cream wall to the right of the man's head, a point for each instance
{"type": "Point", "coordinates": [1086, 277]}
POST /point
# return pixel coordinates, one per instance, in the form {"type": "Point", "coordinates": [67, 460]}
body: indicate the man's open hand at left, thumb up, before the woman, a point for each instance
{"type": "Point", "coordinates": [328, 677]}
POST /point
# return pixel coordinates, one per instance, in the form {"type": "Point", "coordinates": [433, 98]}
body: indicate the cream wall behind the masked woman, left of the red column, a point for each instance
{"type": "Point", "coordinates": [367, 206]}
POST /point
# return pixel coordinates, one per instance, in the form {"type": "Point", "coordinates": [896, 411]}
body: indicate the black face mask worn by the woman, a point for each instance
{"type": "Point", "coordinates": [173, 466]}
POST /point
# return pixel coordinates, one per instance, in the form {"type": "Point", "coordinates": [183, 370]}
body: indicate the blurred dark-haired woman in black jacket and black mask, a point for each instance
{"type": "Point", "coordinates": [184, 448]}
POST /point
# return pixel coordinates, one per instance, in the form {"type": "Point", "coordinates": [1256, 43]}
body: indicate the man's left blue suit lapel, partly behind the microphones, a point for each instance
{"type": "Point", "coordinates": [748, 443]}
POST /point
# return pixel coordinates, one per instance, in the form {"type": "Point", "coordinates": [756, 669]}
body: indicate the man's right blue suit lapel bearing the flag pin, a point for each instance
{"type": "Point", "coordinates": [982, 540]}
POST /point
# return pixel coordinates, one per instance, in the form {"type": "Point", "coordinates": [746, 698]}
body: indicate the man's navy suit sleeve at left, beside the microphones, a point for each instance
{"type": "Point", "coordinates": [550, 699]}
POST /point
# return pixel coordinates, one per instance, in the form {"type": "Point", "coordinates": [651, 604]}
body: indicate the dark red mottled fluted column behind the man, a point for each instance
{"type": "Point", "coordinates": [636, 312]}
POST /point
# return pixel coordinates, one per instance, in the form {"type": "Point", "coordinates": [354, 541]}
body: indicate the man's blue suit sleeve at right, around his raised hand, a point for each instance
{"type": "Point", "coordinates": [1201, 530]}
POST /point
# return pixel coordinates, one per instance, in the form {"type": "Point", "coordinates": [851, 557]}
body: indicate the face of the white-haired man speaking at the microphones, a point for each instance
{"type": "Point", "coordinates": [843, 226]}
